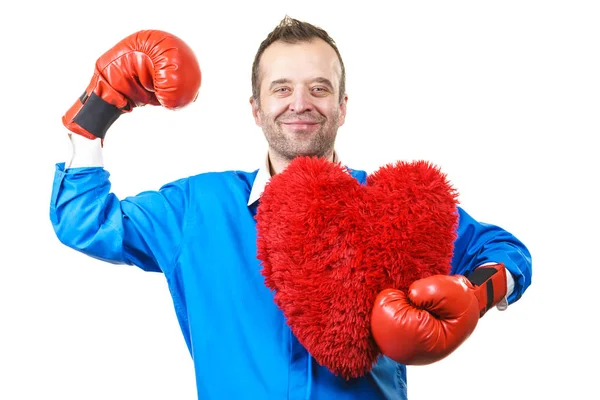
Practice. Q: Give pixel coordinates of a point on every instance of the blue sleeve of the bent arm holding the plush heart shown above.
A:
(479, 243)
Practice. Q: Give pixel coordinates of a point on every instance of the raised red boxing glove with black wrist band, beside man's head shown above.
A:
(146, 68)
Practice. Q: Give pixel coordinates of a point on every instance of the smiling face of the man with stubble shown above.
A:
(300, 109)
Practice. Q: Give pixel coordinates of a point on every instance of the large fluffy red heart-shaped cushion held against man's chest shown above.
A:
(328, 245)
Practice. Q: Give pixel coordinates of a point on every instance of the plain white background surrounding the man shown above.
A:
(503, 95)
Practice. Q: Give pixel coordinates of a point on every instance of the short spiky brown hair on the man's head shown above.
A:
(291, 30)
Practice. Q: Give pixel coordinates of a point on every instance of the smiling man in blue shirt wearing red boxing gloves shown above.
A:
(200, 232)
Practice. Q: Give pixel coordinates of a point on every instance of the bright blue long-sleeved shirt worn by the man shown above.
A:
(200, 232)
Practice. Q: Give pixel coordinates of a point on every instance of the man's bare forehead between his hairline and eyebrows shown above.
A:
(300, 62)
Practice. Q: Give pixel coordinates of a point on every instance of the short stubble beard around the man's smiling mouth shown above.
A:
(287, 146)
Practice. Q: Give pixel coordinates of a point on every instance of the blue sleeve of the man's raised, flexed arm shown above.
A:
(145, 230)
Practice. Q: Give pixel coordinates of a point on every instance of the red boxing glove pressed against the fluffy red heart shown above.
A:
(436, 315)
